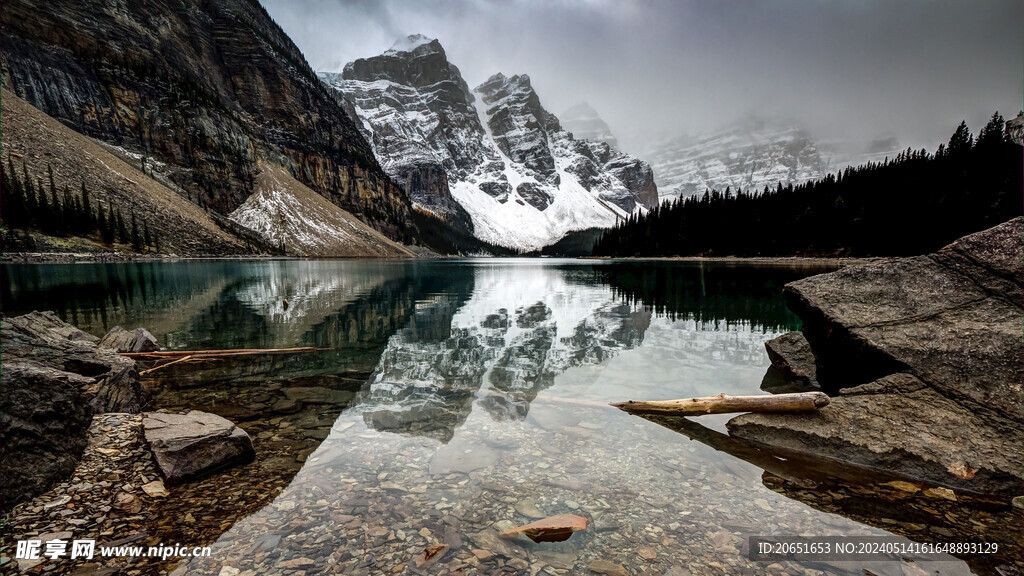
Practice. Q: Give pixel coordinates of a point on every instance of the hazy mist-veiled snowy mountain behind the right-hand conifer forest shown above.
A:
(750, 156)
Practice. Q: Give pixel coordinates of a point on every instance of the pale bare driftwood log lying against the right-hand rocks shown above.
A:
(722, 404)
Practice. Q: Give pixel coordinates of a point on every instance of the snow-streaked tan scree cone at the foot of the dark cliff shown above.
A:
(284, 213)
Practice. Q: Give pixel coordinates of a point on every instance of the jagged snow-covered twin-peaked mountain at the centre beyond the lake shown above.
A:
(492, 159)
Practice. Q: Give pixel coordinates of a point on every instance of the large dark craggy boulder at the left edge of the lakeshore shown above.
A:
(55, 379)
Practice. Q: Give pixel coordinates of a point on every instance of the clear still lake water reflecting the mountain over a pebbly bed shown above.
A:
(461, 394)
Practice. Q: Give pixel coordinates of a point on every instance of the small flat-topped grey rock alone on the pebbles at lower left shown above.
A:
(192, 445)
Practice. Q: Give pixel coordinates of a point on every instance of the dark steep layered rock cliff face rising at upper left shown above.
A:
(206, 88)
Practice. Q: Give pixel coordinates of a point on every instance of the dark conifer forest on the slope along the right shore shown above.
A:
(912, 204)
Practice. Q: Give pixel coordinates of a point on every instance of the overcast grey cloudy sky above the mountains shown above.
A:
(856, 70)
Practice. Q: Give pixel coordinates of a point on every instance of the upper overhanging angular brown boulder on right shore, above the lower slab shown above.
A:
(953, 319)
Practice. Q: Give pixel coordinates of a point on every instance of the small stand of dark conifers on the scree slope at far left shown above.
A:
(32, 203)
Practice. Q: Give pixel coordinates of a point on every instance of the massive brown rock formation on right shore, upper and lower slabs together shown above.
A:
(926, 356)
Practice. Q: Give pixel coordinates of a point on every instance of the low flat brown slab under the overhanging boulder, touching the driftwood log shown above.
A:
(900, 425)
